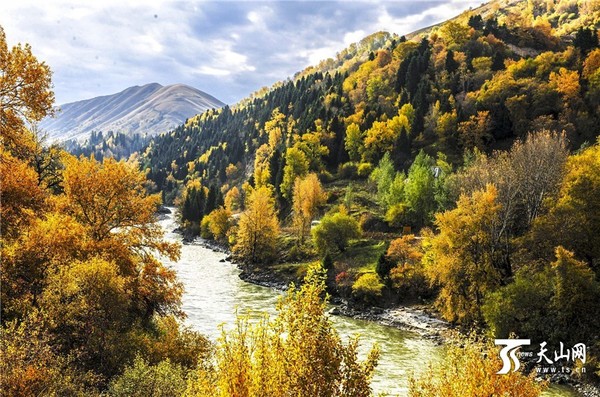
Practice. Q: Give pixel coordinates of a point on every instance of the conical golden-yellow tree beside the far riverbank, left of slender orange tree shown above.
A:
(258, 228)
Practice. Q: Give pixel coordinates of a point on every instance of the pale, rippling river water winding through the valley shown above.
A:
(214, 293)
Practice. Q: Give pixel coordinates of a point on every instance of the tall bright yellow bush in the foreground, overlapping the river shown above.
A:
(297, 354)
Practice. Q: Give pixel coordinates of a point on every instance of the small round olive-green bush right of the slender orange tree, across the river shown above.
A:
(334, 232)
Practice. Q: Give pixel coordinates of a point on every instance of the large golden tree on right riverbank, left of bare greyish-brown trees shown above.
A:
(463, 258)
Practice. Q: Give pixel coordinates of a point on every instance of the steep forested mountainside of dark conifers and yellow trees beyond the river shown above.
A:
(478, 81)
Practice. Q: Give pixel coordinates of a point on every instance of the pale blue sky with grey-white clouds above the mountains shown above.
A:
(226, 48)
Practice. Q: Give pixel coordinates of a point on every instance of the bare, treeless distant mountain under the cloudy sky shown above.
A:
(148, 110)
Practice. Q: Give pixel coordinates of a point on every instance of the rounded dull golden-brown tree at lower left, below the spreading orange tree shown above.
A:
(86, 302)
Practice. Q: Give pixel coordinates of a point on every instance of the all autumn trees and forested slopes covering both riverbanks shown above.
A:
(460, 167)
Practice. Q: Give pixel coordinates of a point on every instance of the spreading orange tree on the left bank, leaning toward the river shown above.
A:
(109, 199)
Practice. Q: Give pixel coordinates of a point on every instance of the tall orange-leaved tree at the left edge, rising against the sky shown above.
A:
(25, 98)
